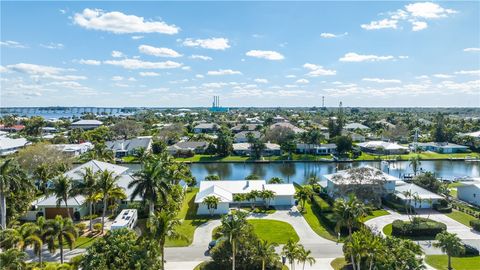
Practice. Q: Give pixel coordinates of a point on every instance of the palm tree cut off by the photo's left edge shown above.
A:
(11, 178)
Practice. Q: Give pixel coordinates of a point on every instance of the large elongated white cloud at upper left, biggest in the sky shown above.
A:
(120, 23)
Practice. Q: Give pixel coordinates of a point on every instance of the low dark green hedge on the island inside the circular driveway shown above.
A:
(418, 227)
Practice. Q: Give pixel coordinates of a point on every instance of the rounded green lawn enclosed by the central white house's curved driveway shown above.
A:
(273, 230)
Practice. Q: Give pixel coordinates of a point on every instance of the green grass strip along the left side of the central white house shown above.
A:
(190, 221)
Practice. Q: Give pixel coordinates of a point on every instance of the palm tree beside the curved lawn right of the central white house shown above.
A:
(349, 213)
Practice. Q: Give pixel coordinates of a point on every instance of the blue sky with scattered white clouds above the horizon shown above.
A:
(177, 54)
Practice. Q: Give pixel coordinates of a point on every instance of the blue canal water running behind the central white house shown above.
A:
(300, 171)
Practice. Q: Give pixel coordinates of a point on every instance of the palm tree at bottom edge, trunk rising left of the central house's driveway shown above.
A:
(160, 226)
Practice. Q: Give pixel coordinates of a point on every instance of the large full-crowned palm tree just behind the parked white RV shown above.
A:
(150, 185)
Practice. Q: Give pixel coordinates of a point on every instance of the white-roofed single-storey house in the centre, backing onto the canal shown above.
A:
(225, 191)
